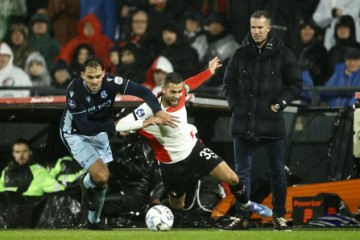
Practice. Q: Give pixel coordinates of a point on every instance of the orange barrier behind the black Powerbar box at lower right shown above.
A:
(348, 191)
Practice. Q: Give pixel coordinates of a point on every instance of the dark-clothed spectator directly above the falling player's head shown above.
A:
(181, 55)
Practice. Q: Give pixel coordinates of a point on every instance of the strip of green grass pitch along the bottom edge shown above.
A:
(181, 234)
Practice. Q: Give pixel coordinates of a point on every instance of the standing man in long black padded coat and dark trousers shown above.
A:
(261, 79)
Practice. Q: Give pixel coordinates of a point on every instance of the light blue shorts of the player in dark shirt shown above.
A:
(87, 149)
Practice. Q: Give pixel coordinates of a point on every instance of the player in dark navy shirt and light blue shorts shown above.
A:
(86, 120)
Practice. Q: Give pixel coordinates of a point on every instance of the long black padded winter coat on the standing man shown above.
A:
(256, 78)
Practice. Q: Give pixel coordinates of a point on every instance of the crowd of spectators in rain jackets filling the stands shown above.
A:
(43, 43)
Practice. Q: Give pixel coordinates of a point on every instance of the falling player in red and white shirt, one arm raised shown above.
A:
(180, 153)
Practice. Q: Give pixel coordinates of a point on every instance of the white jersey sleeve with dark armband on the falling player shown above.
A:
(134, 120)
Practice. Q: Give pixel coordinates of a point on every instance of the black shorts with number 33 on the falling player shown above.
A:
(181, 176)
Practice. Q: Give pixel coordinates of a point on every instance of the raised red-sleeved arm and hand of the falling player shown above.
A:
(195, 81)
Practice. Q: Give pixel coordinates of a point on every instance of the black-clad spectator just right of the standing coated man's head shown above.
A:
(312, 55)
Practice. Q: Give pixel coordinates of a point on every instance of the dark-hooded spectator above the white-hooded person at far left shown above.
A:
(19, 43)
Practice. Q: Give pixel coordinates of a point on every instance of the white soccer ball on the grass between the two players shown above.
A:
(159, 218)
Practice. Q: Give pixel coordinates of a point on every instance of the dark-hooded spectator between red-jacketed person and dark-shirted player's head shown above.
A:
(82, 51)
